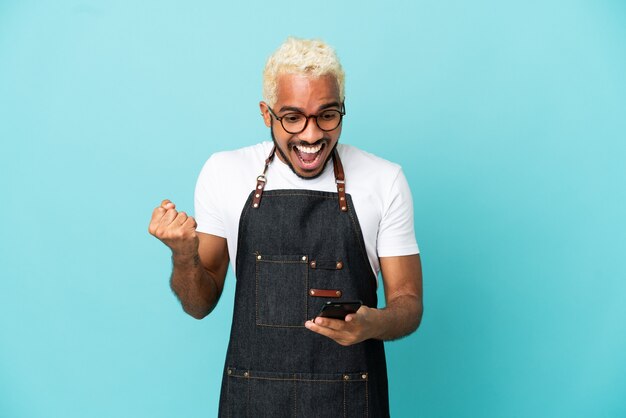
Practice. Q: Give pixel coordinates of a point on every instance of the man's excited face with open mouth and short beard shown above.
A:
(307, 152)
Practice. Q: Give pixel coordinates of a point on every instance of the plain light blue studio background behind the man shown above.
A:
(509, 119)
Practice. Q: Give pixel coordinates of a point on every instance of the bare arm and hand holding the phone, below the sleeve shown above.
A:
(402, 278)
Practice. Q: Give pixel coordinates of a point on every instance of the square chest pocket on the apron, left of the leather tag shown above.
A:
(281, 290)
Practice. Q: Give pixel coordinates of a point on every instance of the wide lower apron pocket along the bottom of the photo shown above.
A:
(270, 394)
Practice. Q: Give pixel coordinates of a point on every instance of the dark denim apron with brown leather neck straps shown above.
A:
(298, 249)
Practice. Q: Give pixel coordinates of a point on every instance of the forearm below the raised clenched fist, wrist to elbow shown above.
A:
(193, 285)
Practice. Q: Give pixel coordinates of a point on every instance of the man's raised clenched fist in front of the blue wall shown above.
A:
(175, 229)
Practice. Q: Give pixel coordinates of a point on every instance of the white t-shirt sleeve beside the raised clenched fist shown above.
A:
(207, 213)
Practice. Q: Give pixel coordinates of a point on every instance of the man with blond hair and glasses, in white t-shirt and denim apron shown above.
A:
(315, 224)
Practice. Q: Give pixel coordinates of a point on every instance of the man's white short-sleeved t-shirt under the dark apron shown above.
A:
(380, 194)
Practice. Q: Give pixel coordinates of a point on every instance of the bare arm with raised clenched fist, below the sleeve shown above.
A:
(200, 261)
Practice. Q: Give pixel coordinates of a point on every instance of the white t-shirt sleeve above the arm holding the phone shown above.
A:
(396, 232)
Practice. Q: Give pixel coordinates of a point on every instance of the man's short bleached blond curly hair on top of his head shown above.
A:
(304, 57)
